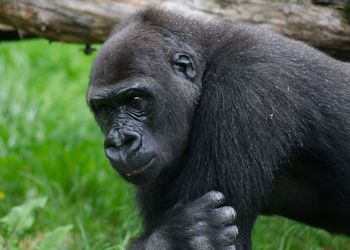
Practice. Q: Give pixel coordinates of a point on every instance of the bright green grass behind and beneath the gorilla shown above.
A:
(50, 146)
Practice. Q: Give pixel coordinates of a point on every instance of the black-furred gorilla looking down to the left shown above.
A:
(204, 116)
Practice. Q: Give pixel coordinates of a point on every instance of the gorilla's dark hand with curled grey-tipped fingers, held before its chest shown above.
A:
(202, 224)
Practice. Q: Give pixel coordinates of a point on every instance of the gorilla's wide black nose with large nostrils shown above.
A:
(119, 144)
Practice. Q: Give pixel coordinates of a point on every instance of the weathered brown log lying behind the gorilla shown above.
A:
(90, 21)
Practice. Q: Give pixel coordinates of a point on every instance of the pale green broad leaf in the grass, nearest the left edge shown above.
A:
(21, 217)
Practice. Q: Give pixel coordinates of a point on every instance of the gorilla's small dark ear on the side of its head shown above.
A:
(183, 64)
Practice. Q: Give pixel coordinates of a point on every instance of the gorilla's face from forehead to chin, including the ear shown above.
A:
(143, 95)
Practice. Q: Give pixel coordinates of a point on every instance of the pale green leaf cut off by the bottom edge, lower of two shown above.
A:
(56, 239)
